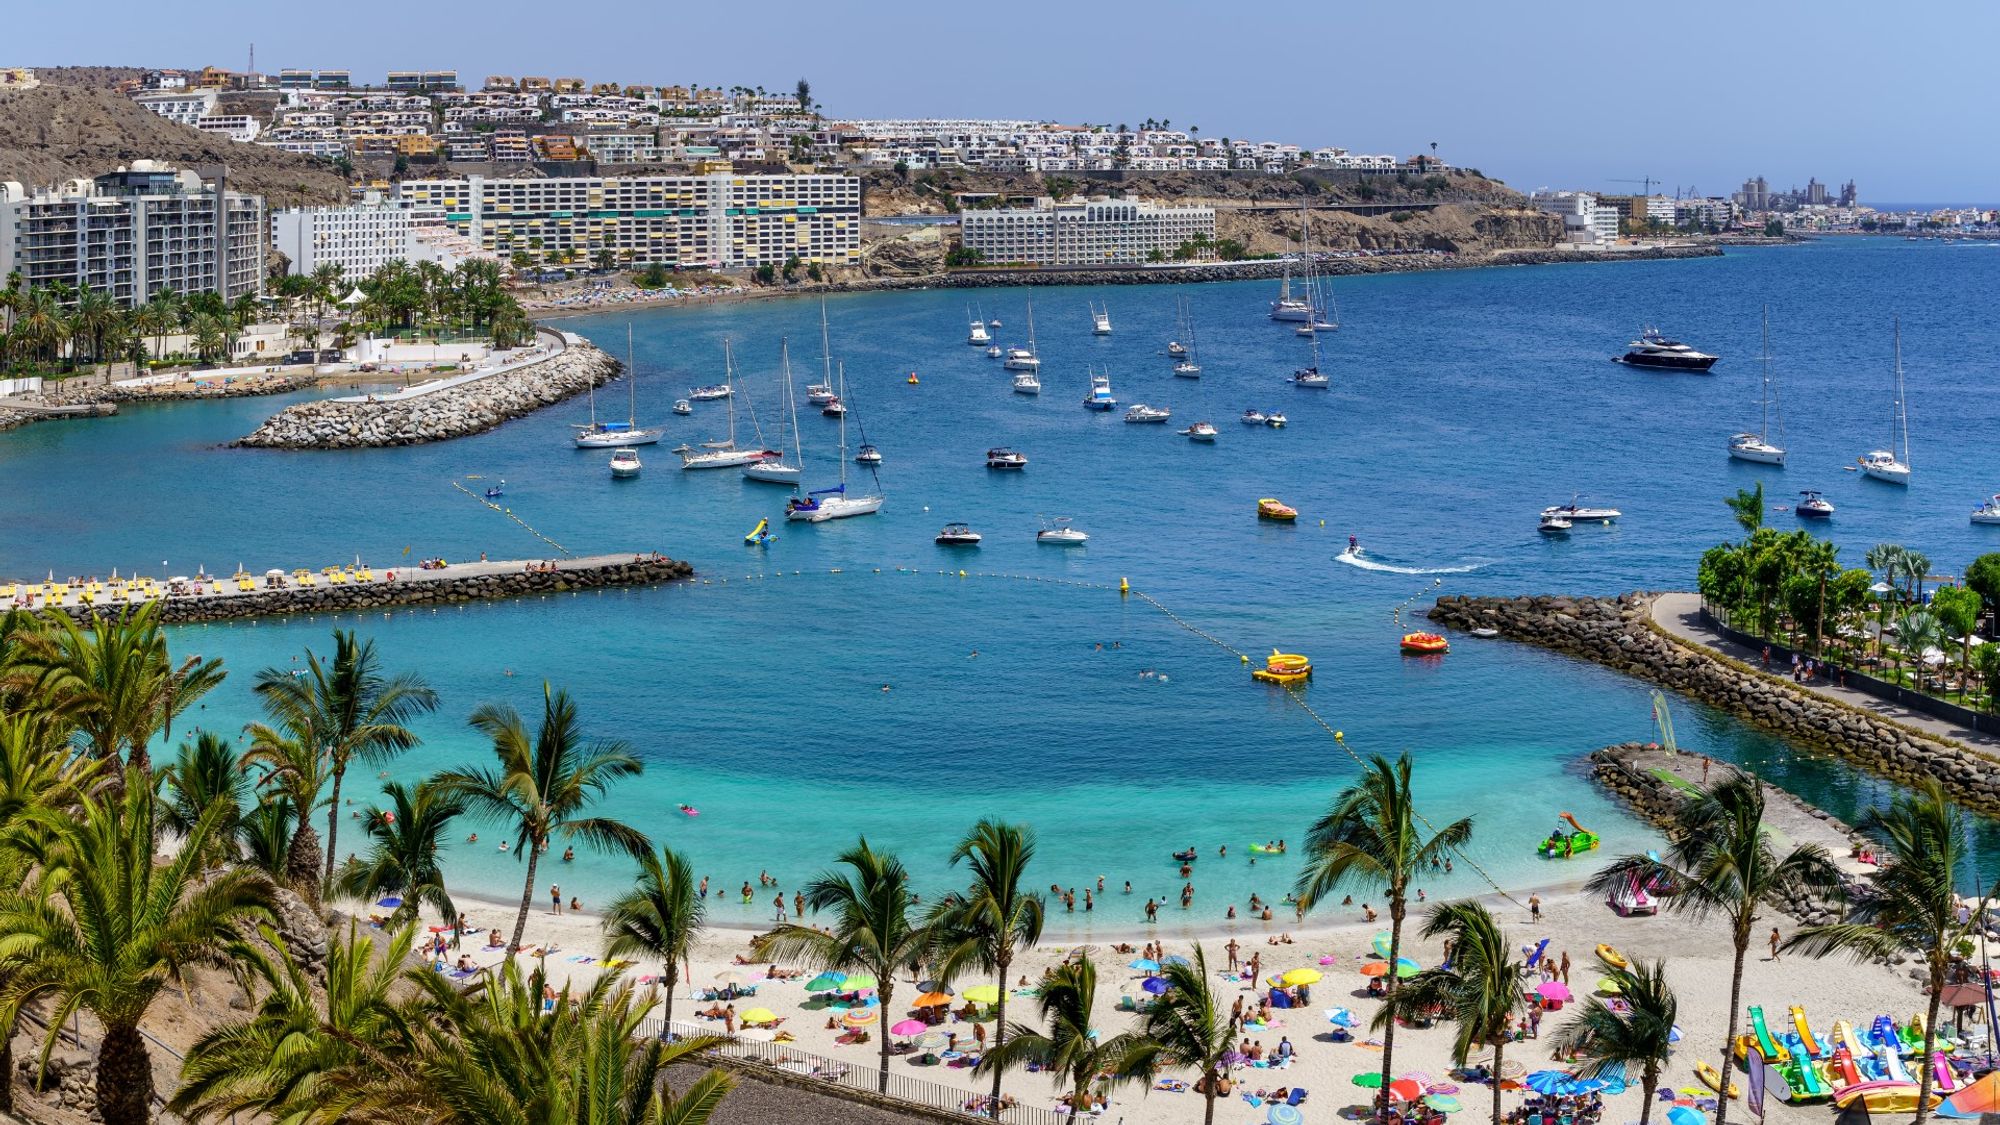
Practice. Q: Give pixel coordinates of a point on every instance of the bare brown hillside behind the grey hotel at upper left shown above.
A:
(63, 133)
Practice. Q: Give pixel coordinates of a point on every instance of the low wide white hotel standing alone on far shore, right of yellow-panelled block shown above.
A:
(1085, 233)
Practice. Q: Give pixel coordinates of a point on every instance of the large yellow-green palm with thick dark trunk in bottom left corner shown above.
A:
(125, 928)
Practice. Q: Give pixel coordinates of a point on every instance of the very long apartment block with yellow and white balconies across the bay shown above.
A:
(717, 221)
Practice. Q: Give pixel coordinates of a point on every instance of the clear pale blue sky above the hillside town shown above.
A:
(1695, 93)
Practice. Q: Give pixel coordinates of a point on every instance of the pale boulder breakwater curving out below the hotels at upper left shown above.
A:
(449, 413)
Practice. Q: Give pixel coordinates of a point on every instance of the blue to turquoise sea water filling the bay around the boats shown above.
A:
(827, 686)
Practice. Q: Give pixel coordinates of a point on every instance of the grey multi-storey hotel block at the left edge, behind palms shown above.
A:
(133, 233)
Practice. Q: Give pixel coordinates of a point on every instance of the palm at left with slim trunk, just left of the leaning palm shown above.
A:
(353, 708)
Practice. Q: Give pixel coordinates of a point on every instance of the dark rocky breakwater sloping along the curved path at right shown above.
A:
(1621, 636)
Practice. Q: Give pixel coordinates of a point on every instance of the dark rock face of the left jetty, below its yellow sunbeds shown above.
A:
(419, 590)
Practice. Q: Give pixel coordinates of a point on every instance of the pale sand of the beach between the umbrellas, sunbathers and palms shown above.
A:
(1337, 946)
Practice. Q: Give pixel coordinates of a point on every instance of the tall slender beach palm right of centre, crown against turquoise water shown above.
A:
(1373, 838)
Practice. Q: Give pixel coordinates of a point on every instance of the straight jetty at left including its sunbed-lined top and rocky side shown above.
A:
(403, 588)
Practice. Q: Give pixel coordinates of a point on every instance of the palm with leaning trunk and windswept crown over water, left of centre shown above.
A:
(543, 786)
